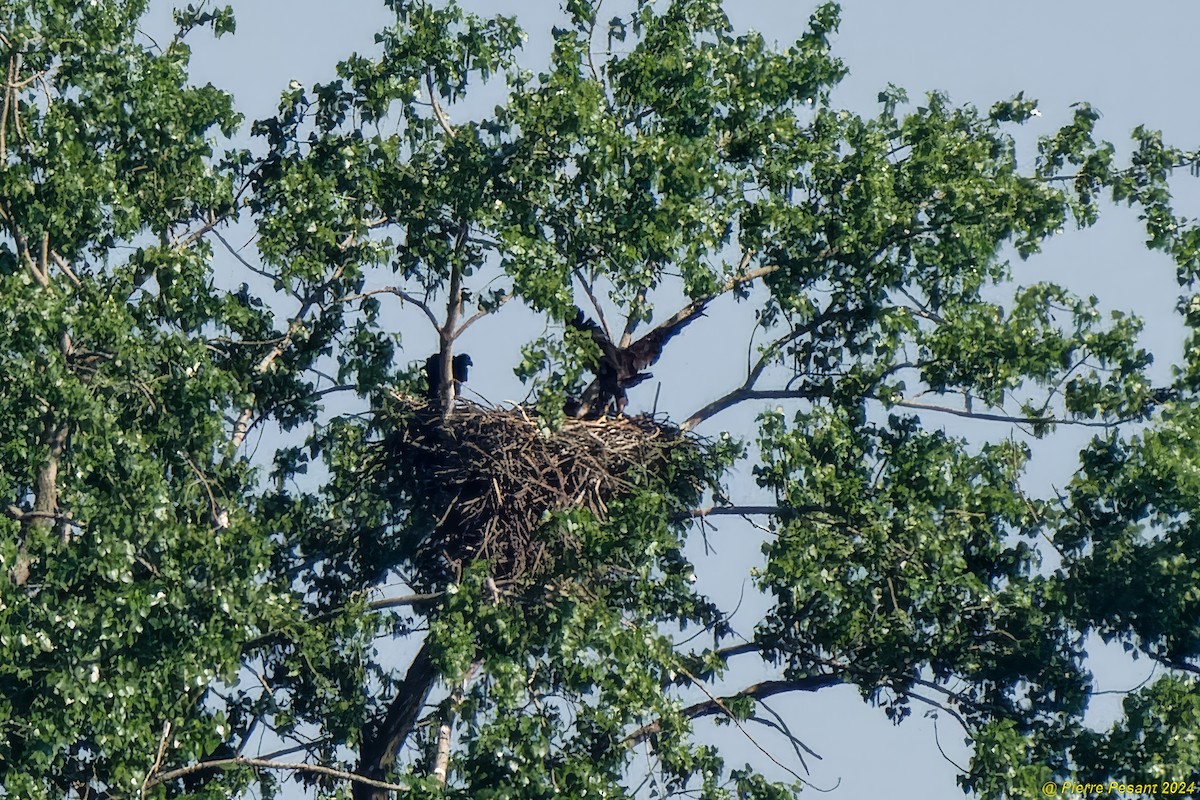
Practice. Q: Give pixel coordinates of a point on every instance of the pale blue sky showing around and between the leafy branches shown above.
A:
(1135, 62)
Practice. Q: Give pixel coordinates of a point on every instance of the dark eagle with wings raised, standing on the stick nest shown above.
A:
(622, 368)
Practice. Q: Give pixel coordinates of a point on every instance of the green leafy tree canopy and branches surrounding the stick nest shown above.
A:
(184, 616)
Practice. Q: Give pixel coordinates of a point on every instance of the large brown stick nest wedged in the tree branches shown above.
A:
(489, 479)
